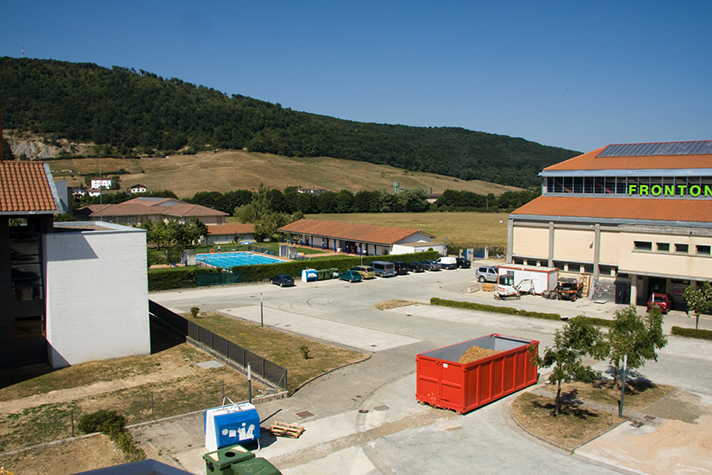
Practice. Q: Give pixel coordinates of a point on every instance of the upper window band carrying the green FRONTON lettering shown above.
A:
(696, 187)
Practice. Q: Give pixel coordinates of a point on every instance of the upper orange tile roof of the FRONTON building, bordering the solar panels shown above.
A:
(590, 161)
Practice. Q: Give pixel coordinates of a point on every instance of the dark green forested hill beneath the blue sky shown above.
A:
(132, 113)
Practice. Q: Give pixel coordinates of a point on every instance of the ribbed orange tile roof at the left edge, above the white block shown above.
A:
(26, 187)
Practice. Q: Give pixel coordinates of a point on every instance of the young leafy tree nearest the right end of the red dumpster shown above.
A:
(577, 339)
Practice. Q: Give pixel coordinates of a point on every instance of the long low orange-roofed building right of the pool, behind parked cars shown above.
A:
(360, 238)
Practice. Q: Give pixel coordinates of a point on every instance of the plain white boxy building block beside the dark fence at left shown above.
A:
(97, 294)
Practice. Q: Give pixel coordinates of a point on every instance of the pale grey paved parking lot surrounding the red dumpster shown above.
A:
(364, 418)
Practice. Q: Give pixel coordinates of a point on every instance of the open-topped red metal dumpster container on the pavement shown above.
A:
(444, 383)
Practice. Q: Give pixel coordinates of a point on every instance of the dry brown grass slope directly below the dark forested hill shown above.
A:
(236, 169)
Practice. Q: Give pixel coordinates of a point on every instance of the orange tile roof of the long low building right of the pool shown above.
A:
(350, 231)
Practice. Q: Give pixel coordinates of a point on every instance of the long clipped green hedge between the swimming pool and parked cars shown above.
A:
(184, 277)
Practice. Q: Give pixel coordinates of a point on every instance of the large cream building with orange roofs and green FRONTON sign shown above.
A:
(637, 217)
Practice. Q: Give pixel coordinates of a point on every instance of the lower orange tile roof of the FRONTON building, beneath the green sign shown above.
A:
(675, 210)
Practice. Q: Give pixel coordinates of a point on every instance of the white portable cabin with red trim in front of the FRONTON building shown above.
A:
(516, 279)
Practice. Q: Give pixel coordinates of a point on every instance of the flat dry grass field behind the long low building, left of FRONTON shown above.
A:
(466, 229)
